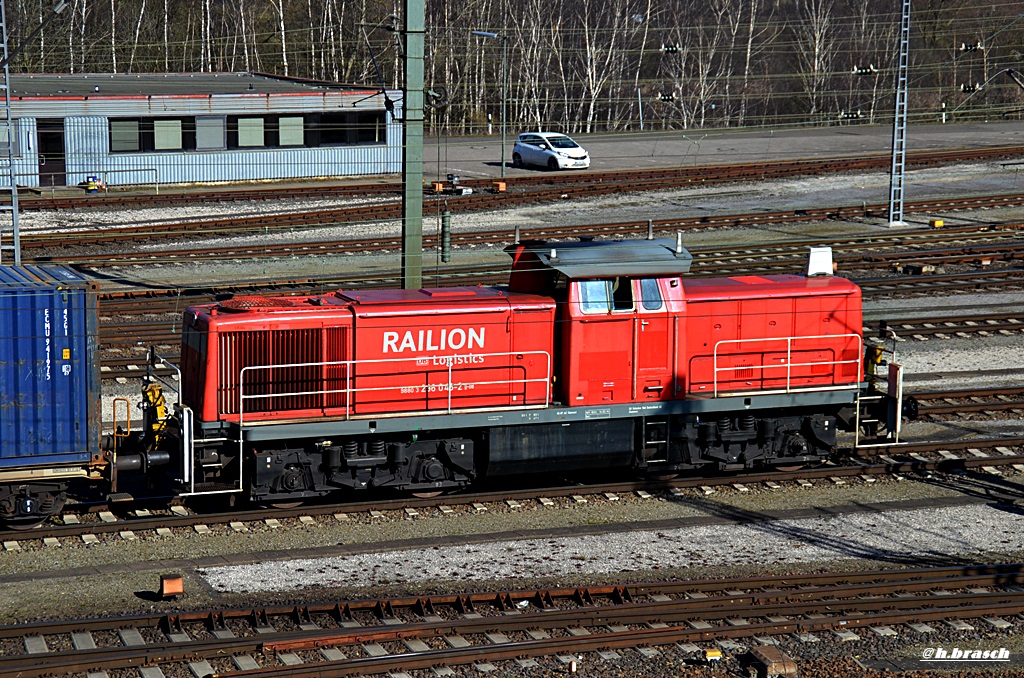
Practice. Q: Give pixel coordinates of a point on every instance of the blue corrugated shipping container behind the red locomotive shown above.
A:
(50, 371)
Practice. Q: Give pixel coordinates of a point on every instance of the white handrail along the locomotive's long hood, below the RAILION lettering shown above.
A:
(451, 362)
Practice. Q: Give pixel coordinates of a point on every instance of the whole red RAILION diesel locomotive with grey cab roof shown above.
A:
(598, 356)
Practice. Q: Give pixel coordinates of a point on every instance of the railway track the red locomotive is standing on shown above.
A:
(984, 456)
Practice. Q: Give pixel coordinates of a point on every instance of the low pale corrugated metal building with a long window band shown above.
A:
(187, 129)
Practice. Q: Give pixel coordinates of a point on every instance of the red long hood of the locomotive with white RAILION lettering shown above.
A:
(372, 353)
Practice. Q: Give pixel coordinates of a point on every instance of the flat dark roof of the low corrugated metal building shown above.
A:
(86, 86)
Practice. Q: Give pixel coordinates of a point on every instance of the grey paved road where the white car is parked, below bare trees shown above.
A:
(481, 157)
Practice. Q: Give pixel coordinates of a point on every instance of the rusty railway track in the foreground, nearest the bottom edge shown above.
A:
(525, 627)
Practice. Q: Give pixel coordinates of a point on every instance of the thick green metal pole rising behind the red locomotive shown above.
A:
(412, 159)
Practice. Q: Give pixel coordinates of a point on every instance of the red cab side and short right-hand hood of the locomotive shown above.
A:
(668, 338)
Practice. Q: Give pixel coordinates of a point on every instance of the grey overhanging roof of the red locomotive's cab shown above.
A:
(612, 259)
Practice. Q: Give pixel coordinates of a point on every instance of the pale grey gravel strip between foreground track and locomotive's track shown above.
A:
(936, 536)
